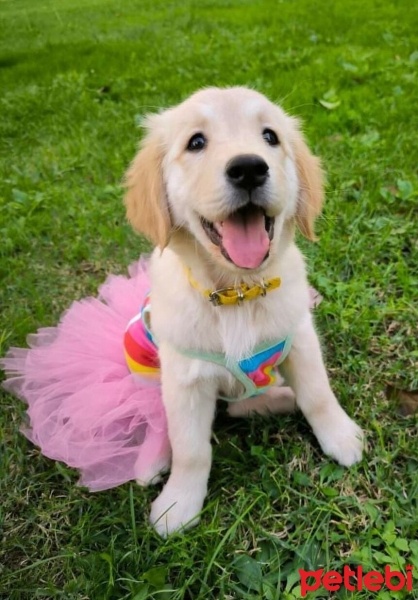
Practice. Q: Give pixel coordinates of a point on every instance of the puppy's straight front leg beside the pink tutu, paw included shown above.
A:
(190, 409)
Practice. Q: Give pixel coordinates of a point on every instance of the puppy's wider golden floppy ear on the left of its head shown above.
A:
(145, 199)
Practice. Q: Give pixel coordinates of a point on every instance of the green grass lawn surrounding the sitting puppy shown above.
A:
(75, 78)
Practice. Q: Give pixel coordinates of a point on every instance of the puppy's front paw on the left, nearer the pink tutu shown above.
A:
(176, 510)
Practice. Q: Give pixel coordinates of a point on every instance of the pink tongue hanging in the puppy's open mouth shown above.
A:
(245, 238)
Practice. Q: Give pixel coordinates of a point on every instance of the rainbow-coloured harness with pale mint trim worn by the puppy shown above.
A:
(256, 372)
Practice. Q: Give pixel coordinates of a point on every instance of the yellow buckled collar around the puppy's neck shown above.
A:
(237, 294)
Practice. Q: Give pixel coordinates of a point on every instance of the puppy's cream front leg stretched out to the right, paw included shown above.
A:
(304, 370)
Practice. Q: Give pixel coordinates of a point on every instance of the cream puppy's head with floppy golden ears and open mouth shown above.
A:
(231, 169)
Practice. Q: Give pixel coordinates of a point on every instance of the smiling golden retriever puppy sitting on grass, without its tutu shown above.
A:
(219, 184)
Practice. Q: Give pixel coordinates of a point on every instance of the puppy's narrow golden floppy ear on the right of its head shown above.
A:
(311, 190)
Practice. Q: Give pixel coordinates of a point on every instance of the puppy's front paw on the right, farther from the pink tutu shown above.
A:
(340, 438)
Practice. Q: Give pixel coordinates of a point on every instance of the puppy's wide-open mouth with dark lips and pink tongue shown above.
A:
(244, 236)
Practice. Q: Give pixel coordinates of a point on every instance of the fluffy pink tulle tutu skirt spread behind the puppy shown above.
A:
(85, 408)
